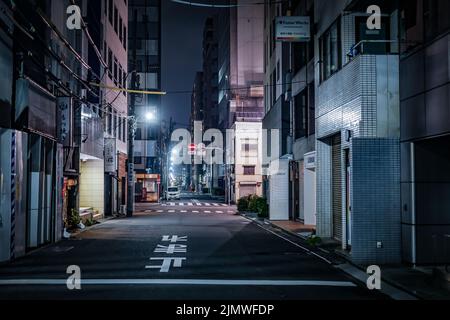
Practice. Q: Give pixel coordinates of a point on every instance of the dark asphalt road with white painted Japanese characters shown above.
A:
(180, 250)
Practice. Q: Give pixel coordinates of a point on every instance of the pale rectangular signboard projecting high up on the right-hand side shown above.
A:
(292, 29)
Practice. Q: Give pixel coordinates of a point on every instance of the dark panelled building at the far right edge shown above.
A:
(425, 129)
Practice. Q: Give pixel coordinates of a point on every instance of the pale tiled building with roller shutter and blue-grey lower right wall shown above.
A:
(358, 131)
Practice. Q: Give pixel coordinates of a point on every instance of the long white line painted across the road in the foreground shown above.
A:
(198, 282)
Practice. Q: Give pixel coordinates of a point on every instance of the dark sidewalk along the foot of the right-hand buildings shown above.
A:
(420, 283)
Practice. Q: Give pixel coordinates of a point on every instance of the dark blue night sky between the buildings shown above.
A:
(182, 33)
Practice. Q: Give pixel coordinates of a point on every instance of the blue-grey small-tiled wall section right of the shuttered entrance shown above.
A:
(376, 236)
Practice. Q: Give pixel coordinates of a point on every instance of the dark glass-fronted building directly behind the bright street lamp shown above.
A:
(145, 58)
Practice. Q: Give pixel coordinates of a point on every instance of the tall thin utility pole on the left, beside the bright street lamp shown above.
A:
(132, 128)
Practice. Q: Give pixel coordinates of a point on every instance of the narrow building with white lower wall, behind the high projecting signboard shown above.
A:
(290, 109)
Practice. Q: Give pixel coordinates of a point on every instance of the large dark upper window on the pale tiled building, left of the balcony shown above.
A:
(330, 51)
